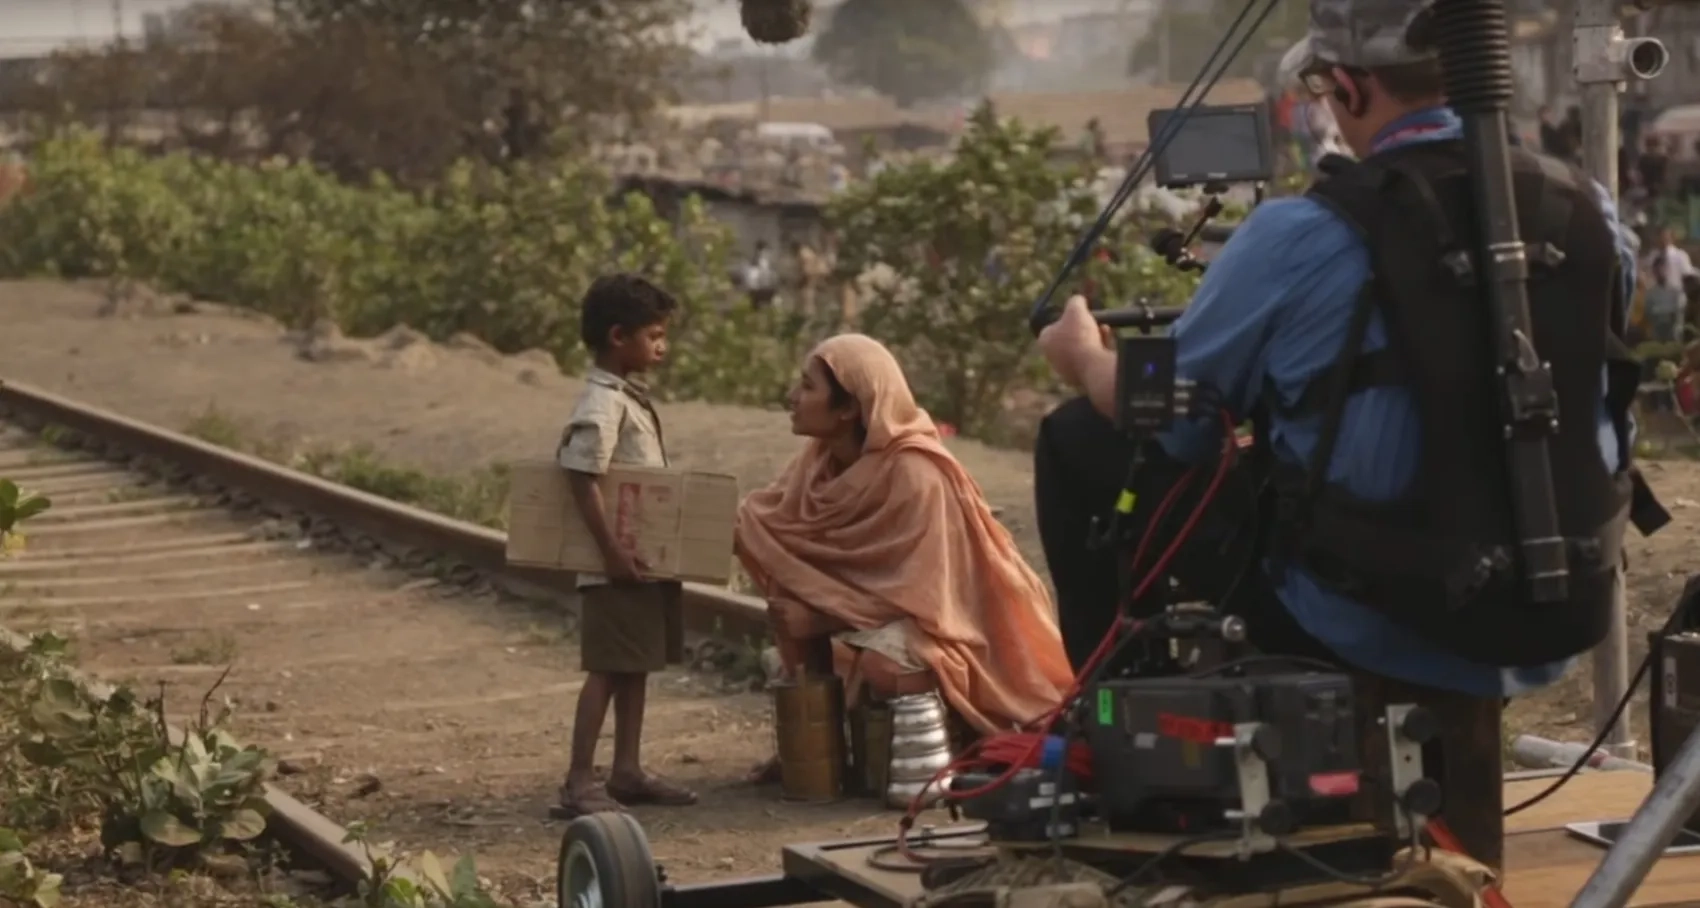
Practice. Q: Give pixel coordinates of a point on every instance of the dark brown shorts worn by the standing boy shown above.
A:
(632, 628)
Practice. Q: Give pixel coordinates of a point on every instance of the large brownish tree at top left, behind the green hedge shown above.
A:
(402, 88)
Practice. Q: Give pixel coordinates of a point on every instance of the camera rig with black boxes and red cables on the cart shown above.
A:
(1259, 768)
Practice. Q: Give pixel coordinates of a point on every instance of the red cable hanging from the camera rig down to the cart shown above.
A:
(1023, 751)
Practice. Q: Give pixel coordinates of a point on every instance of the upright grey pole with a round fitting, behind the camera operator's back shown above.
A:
(1606, 62)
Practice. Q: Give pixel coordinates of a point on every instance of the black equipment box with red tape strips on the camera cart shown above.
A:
(1162, 764)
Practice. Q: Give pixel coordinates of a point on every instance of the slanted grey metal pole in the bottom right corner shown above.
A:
(1648, 834)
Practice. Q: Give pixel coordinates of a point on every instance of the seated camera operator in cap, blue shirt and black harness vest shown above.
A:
(1272, 317)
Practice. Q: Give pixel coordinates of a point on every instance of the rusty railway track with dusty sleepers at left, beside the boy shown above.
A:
(402, 672)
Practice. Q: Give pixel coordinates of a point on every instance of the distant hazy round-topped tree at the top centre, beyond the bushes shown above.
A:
(909, 50)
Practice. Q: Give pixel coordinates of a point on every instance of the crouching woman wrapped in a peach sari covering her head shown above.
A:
(881, 560)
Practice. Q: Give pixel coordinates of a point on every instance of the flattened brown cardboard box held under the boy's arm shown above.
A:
(677, 521)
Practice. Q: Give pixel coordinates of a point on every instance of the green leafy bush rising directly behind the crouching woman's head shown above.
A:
(970, 246)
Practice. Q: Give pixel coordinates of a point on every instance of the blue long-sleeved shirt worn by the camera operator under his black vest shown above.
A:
(1276, 304)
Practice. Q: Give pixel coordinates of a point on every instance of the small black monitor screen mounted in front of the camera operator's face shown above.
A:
(1213, 145)
